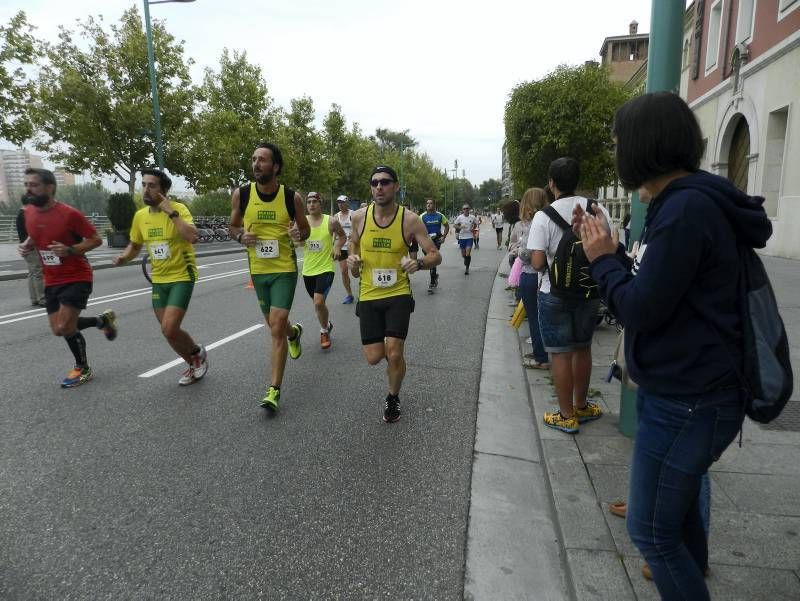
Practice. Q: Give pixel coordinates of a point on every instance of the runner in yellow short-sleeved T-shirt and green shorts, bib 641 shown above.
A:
(169, 232)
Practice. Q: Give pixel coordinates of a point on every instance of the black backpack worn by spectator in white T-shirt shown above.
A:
(569, 271)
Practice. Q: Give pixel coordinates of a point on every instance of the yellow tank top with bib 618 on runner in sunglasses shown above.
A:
(381, 250)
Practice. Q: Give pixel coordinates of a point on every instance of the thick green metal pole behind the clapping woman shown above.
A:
(663, 74)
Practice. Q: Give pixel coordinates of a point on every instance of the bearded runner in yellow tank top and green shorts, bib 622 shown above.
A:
(268, 219)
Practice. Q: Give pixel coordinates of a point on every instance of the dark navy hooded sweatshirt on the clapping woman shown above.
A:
(680, 309)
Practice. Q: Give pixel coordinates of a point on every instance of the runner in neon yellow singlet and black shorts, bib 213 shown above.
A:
(320, 253)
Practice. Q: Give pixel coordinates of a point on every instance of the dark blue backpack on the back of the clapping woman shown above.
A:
(766, 375)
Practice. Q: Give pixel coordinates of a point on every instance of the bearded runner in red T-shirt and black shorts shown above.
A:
(62, 236)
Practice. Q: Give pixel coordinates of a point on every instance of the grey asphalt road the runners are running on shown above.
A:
(131, 487)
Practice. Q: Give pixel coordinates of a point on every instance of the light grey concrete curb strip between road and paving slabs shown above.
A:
(514, 542)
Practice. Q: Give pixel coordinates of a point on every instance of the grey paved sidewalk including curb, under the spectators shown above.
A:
(568, 481)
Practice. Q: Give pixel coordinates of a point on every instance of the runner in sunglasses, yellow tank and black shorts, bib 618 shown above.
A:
(381, 235)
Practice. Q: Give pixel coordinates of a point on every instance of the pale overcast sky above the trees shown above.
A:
(442, 69)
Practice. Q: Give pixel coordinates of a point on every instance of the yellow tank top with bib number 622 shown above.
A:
(269, 220)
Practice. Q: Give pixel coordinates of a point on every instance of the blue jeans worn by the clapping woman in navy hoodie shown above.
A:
(677, 441)
